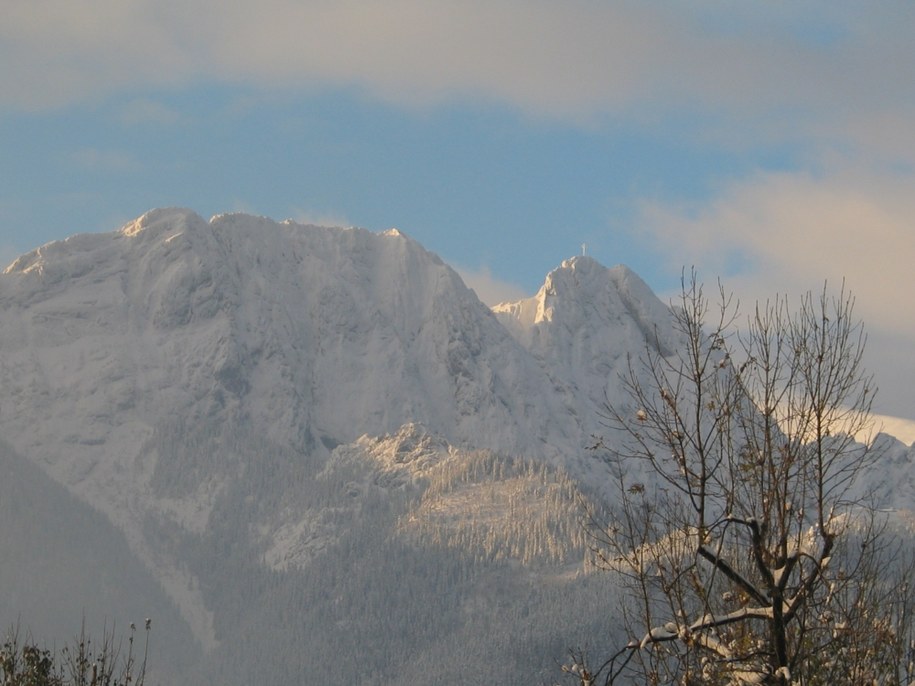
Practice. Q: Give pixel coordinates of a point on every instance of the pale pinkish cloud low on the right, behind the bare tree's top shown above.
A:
(789, 232)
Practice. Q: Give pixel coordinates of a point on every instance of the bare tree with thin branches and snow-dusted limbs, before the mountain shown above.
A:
(750, 555)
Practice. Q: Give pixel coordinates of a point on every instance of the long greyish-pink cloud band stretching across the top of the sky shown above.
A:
(815, 64)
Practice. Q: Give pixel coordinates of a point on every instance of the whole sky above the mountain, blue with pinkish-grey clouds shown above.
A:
(771, 144)
